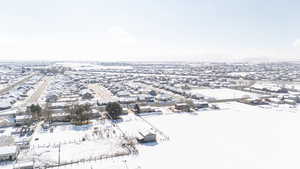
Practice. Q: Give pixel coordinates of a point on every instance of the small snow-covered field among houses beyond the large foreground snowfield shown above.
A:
(223, 93)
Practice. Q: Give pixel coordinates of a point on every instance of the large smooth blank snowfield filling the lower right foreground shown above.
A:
(237, 136)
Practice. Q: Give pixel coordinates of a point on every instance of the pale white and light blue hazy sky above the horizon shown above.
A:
(217, 30)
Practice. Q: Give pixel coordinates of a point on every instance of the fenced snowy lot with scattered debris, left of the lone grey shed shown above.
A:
(75, 143)
